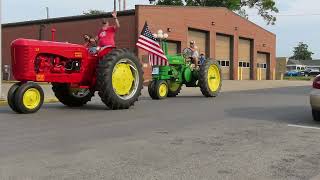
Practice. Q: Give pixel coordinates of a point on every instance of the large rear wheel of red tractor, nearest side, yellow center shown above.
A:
(119, 79)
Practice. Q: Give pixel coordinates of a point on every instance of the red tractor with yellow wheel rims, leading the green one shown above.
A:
(75, 73)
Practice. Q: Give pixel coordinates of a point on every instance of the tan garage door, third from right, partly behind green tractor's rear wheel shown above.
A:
(223, 49)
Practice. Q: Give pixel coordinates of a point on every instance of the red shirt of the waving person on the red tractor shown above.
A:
(106, 37)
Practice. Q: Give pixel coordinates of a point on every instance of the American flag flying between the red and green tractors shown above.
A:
(149, 43)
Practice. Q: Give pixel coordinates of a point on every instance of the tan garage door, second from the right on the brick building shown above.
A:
(244, 54)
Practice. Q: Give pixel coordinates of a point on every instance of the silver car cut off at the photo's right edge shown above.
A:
(315, 99)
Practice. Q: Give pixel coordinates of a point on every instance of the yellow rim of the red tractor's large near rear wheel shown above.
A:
(122, 79)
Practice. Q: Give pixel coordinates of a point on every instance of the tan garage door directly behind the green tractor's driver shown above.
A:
(200, 38)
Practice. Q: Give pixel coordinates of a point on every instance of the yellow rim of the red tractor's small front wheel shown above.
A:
(31, 98)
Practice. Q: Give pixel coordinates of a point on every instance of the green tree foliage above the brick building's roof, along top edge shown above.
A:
(265, 8)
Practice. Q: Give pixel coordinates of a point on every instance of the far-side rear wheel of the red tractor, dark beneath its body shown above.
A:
(71, 97)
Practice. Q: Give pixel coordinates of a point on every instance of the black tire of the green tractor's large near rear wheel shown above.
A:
(203, 79)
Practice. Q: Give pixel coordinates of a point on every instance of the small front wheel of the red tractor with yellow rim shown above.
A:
(28, 98)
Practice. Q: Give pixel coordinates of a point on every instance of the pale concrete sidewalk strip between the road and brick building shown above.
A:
(227, 86)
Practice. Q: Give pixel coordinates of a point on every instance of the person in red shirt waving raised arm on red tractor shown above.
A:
(106, 35)
